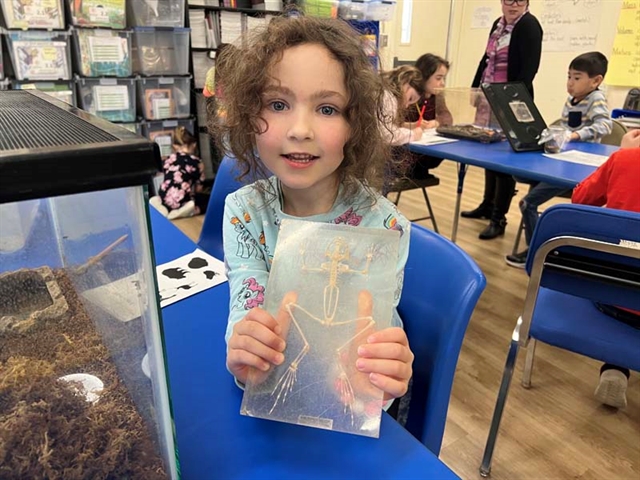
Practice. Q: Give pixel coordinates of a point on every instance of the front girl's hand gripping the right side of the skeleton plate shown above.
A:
(387, 358)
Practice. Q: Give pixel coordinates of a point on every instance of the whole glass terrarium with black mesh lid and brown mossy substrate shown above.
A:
(83, 381)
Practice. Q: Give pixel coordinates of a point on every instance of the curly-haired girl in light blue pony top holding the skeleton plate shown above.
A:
(304, 103)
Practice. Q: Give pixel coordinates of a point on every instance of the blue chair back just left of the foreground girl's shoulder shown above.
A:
(225, 183)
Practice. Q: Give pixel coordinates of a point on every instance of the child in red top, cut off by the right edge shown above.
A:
(615, 185)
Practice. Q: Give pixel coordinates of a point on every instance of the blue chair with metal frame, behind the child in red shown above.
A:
(578, 255)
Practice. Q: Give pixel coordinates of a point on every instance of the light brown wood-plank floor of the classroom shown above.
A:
(556, 429)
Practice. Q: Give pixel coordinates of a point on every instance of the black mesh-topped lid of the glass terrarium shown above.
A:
(50, 148)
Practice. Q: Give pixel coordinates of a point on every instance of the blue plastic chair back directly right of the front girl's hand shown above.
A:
(442, 285)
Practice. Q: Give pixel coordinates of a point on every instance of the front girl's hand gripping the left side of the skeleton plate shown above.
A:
(257, 343)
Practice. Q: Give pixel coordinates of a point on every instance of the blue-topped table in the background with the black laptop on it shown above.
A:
(501, 158)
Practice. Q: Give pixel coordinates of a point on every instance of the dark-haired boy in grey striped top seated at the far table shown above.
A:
(586, 115)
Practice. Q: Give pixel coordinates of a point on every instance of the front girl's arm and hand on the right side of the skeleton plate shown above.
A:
(386, 355)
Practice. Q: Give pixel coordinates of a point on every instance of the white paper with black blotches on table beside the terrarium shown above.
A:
(188, 275)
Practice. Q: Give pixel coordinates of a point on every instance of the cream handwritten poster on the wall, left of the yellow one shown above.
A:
(570, 25)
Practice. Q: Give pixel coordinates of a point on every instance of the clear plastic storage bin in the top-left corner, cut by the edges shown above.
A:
(33, 13)
